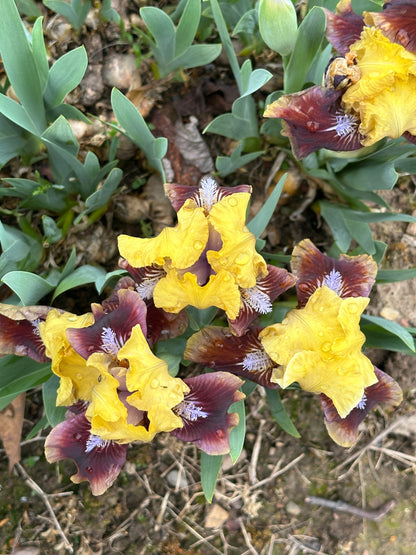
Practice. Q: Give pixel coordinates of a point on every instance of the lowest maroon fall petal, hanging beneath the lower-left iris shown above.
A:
(99, 462)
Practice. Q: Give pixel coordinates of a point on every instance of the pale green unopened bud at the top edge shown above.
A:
(278, 25)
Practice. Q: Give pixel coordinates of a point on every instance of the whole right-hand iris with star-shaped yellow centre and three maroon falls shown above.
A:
(318, 345)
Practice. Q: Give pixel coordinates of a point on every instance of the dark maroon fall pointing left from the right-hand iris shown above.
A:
(243, 355)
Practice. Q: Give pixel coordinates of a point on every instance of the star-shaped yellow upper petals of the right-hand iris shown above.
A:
(319, 346)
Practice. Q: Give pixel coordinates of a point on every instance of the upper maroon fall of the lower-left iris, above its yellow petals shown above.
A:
(110, 330)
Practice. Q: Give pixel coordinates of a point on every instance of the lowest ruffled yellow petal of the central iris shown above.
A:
(174, 292)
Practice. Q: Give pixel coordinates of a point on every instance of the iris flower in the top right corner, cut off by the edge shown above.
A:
(368, 93)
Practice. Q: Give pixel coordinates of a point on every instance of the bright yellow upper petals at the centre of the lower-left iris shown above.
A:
(120, 420)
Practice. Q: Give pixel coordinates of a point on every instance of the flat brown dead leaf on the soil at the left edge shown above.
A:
(11, 424)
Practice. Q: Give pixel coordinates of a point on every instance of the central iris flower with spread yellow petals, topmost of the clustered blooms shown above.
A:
(208, 259)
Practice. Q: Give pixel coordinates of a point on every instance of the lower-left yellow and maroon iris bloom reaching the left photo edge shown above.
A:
(116, 390)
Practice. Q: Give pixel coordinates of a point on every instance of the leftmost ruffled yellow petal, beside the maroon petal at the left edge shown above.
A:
(76, 379)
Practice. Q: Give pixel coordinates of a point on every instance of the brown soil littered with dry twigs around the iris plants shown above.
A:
(260, 506)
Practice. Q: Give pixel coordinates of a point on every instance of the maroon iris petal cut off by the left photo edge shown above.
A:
(19, 331)
